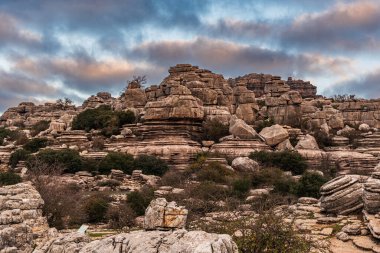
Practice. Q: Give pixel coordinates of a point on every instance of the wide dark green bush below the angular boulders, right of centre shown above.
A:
(285, 160)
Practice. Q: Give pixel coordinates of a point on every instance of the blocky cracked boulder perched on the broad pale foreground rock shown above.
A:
(161, 214)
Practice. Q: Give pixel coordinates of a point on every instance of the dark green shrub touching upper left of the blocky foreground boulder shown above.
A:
(140, 200)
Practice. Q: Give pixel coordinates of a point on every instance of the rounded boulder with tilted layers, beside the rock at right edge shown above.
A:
(342, 195)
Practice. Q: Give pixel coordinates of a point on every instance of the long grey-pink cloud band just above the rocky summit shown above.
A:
(236, 59)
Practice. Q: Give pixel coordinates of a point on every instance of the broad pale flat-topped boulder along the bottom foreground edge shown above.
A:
(145, 242)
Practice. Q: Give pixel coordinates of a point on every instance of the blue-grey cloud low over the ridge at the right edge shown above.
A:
(365, 86)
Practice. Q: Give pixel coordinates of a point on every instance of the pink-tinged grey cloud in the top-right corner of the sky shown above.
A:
(344, 27)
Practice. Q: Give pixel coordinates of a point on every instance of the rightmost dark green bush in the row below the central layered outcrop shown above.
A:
(151, 165)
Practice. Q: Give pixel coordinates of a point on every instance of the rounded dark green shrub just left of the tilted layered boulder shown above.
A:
(309, 185)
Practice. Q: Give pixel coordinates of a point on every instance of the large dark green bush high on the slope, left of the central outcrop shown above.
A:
(102, 118)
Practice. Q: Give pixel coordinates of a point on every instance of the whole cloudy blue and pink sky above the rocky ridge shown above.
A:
(52, 49)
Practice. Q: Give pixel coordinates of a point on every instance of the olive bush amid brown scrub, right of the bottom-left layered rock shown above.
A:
(96, 208)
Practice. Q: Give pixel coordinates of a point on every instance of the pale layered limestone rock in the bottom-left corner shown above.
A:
(21, 222)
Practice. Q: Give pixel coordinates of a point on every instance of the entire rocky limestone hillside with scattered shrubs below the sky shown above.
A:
(231, 151)
